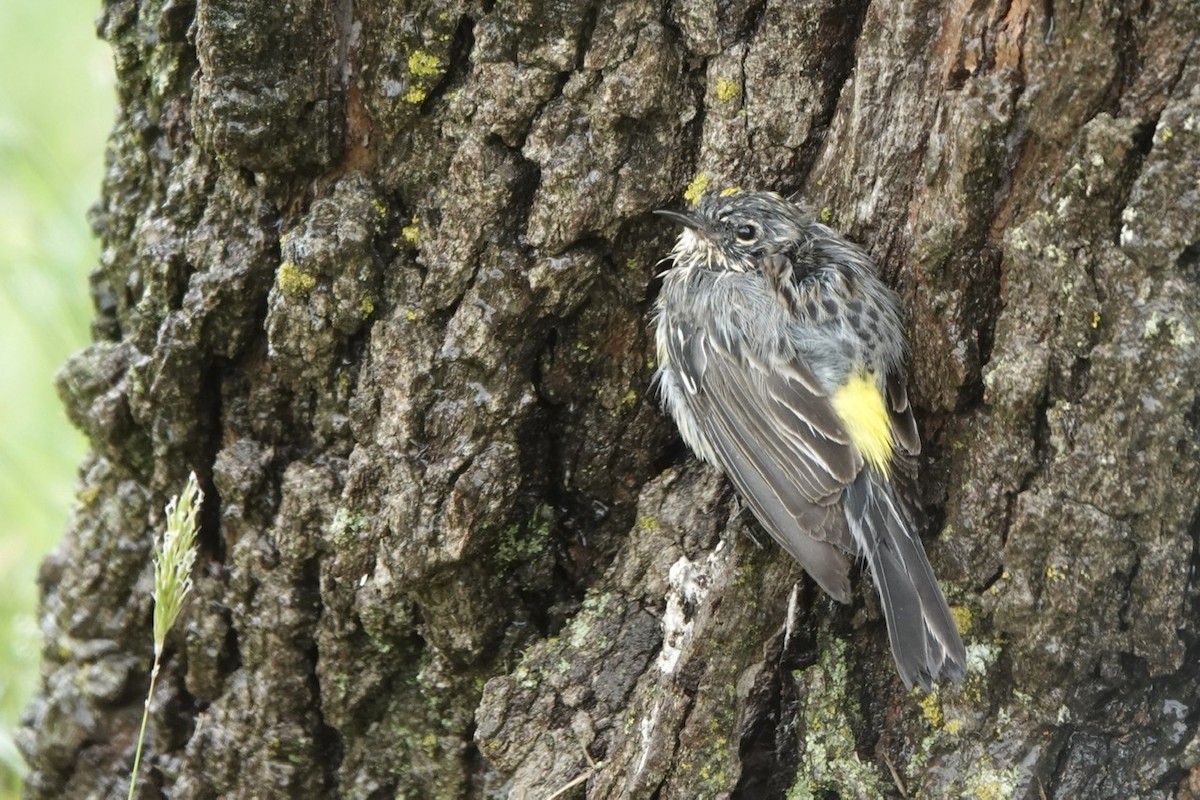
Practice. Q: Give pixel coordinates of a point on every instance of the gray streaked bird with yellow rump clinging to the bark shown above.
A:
(781, 358)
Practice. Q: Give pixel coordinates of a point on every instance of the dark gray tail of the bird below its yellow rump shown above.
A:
(925, 639)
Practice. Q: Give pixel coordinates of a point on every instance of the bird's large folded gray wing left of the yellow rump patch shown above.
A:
(779, 441)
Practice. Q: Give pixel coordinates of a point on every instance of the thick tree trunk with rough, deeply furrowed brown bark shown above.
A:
(381, 276)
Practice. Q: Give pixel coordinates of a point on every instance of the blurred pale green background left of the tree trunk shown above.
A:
(57, 106)
